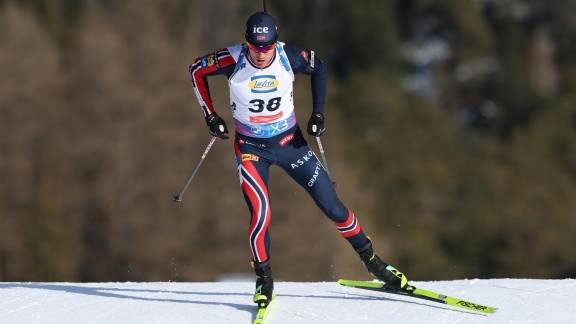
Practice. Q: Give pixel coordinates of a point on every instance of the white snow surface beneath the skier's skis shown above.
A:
(518, 300)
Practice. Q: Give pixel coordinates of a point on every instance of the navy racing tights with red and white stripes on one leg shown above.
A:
(290, 151)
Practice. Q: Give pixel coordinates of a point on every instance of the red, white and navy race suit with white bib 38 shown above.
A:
(267, 133)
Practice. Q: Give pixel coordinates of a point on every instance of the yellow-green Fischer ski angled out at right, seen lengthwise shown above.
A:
(419, 293)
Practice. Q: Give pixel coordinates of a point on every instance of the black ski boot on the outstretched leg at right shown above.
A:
(393, 278)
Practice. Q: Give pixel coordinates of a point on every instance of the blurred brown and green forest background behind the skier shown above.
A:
(451, 131)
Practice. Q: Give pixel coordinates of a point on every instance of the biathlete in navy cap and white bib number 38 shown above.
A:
(260, 75)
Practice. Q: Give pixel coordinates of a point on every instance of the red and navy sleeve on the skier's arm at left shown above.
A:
(220, 62)
